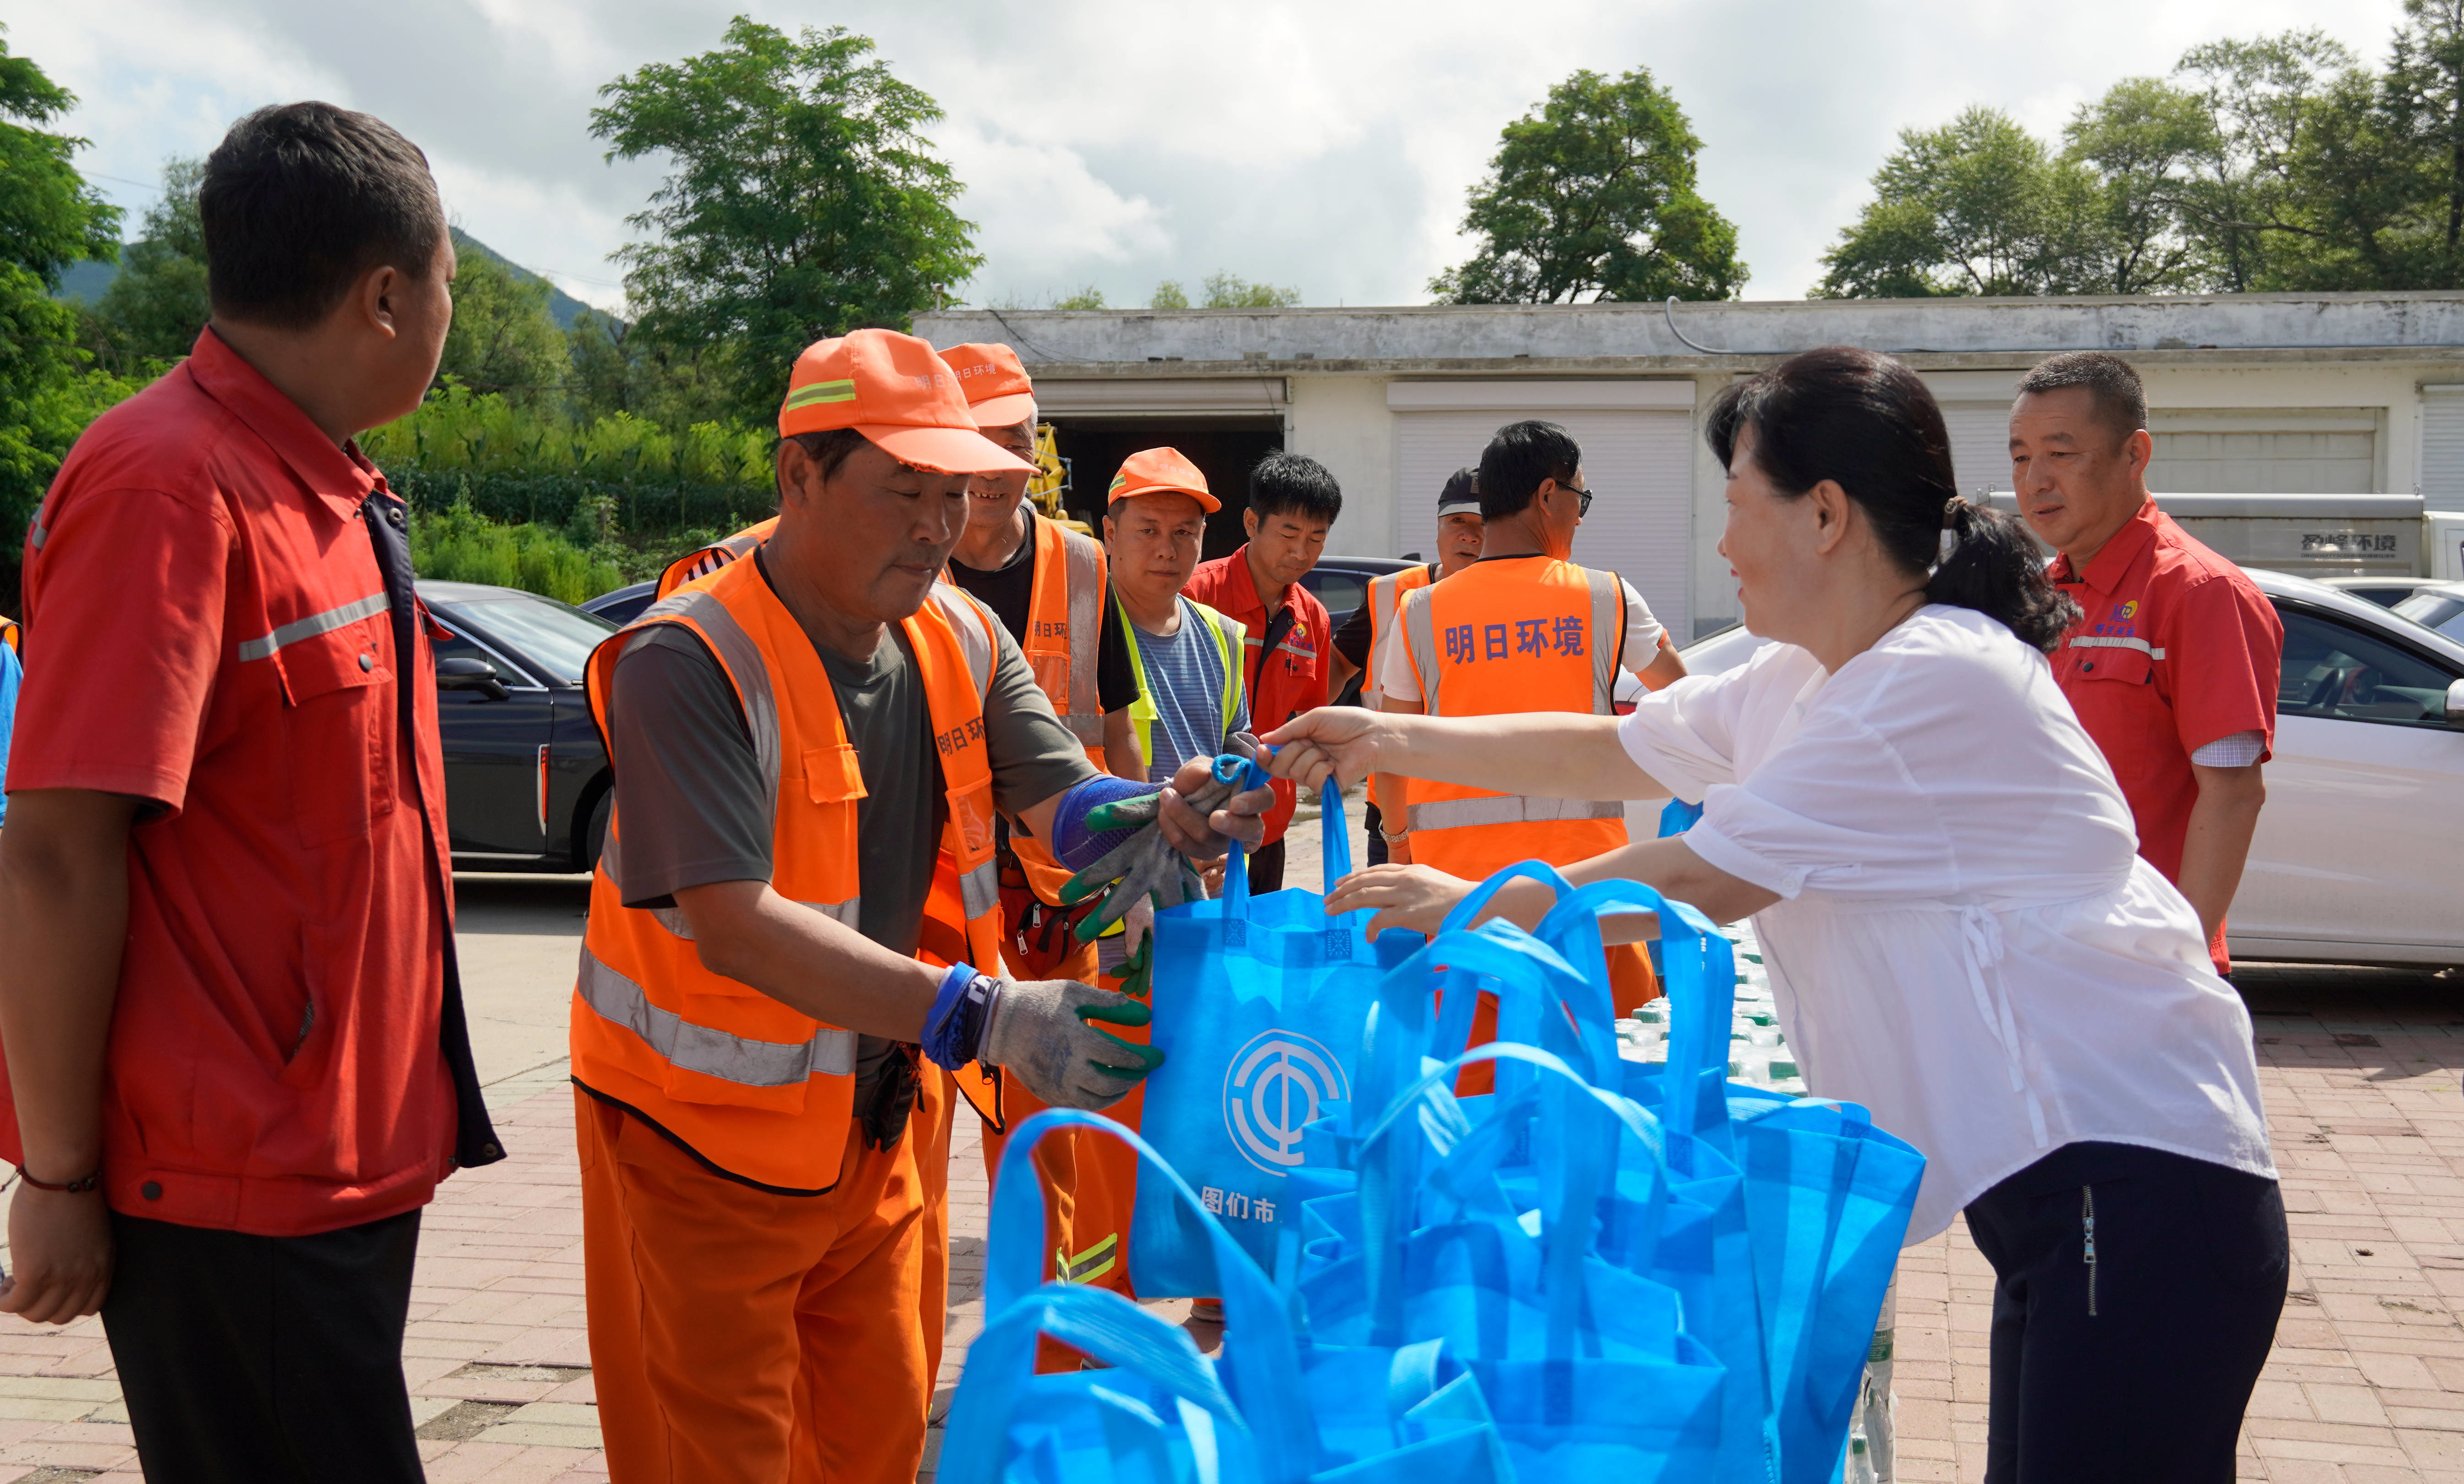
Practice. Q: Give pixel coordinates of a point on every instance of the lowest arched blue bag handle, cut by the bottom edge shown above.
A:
(1112, 1330)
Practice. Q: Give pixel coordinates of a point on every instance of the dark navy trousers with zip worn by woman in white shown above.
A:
(2133, 1362)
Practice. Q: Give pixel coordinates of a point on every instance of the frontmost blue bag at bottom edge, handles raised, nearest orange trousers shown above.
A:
(1275, 1409)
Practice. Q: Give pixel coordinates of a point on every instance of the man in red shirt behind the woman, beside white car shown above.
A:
(2177, 654)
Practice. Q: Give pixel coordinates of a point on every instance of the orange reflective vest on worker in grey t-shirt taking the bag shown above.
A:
(753, 1086)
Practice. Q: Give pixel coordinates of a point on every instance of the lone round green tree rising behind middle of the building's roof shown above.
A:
(1593, 196)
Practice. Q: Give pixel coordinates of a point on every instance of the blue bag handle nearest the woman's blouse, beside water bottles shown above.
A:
(1701, 987)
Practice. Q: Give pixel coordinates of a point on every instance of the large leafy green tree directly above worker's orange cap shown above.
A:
(802, 201)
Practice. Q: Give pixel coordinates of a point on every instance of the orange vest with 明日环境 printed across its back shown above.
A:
(1514, 637)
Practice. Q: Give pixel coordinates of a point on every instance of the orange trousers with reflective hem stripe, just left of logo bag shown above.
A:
(1090, 1182)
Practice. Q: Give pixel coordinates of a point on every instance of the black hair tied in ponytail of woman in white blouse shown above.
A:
(1866, 420)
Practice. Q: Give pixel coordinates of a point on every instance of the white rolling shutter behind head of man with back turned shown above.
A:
(1637, 462)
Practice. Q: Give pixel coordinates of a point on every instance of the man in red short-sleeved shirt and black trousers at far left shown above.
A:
(235, 1039)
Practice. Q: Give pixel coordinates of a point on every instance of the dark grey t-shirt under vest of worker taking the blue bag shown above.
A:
(691, 797)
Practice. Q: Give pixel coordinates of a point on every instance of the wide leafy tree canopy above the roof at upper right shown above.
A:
(2273, 164)
